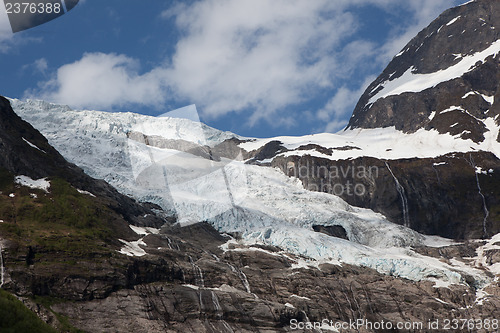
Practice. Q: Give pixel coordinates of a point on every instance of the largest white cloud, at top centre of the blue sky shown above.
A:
(256, 54)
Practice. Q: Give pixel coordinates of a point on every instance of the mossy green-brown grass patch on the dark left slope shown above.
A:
(62, 220)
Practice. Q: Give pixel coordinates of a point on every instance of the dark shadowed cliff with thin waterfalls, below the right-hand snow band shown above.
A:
(442, 193)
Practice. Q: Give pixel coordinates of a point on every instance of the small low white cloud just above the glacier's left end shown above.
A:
(104, 81)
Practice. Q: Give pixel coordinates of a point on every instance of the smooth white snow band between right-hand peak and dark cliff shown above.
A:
(383, 143)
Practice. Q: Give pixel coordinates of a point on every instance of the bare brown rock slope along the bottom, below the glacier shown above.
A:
(187, 283)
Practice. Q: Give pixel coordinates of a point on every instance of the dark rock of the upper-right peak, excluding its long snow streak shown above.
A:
(459, 32)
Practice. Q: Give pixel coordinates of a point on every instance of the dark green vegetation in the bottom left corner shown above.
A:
(17, 318)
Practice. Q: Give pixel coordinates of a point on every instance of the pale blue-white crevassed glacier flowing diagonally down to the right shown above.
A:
(261, 203)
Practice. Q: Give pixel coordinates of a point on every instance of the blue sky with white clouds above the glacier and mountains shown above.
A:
(258, 68)
